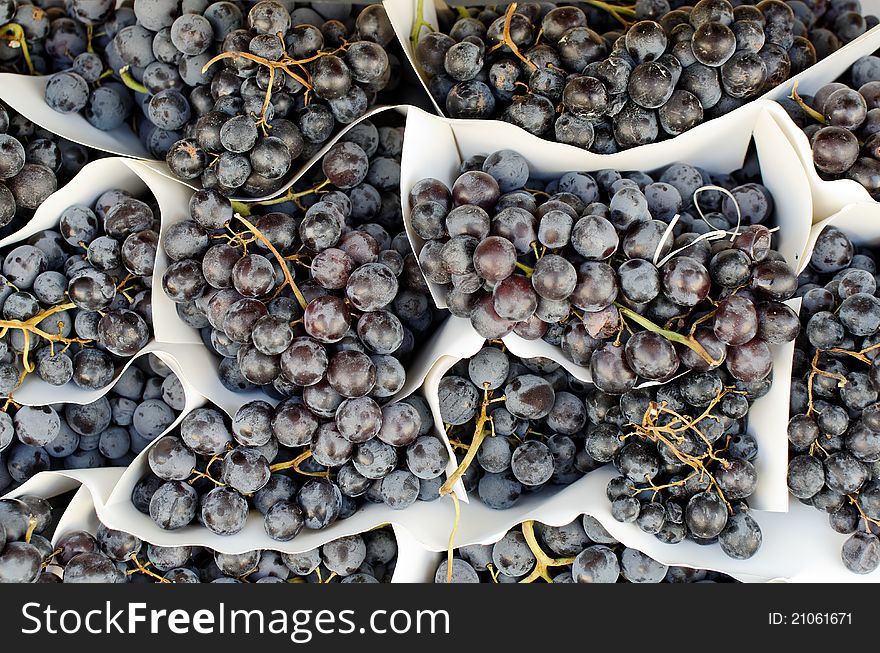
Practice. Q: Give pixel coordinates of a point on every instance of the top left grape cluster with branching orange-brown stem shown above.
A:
(233, 95)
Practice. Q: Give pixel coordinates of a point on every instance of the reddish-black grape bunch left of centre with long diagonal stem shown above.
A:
(361, 308)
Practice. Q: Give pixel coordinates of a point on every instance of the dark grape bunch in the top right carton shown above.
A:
(622, 76)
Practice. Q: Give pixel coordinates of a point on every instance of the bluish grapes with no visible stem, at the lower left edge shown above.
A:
(108, 432)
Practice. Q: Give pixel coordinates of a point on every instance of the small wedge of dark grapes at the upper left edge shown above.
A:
(34, 162)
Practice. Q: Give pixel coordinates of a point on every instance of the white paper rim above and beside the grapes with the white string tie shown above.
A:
(719, 146)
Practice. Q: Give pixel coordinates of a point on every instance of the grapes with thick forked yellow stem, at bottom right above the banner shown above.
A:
(586, 552)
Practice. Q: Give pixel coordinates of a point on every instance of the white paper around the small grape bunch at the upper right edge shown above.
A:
(829, 197)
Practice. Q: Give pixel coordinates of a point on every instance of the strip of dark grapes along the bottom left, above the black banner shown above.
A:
(111, 556)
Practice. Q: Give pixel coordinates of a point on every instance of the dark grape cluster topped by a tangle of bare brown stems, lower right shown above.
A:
(684, 459)
